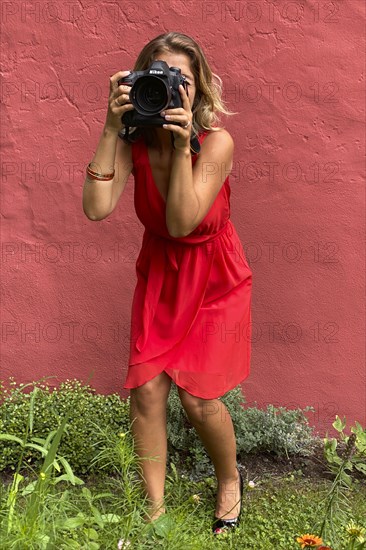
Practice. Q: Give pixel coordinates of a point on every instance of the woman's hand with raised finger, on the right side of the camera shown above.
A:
(183, 115)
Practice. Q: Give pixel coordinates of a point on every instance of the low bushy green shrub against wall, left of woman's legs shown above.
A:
(87, 410)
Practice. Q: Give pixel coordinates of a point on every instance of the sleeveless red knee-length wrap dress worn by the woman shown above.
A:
(191, 309)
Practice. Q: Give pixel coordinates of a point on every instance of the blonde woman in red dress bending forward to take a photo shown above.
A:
(191, 315)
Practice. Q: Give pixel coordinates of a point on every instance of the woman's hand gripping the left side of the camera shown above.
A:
(118, 102)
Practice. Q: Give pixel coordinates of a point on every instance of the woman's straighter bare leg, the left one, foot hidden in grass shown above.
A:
(148, 416)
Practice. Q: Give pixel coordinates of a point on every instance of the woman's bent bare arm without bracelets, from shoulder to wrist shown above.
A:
(192, 191)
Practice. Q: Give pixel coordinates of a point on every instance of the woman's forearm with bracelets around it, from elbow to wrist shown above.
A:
(97, 195)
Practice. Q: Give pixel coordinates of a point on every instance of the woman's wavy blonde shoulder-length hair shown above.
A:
(208, 100)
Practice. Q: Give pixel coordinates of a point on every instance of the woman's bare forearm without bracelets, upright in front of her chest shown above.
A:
(182, 203)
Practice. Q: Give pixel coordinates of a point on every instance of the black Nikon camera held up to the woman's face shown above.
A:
(153, 91)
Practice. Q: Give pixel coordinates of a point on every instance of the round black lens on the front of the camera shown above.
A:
(150, 95)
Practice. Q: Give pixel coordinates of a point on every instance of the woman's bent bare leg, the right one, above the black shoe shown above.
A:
(213, 423)
